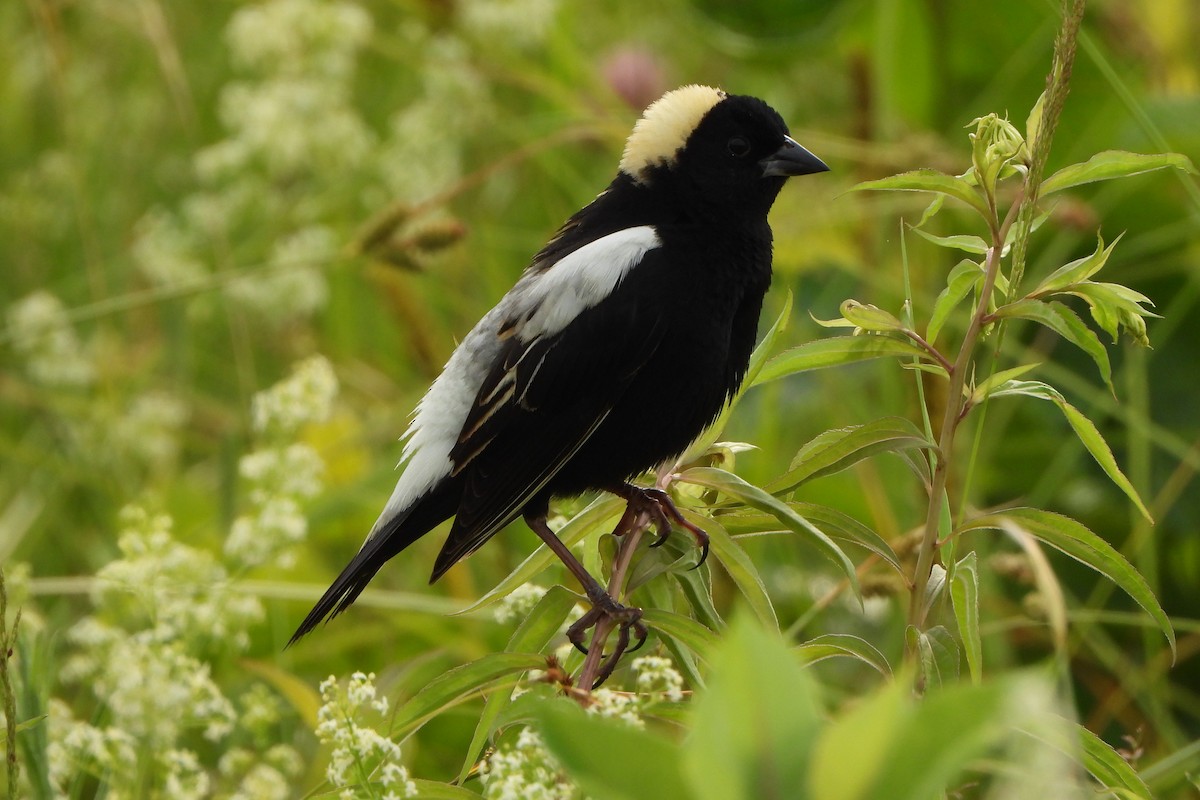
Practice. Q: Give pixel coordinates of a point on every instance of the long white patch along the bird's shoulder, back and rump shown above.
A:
(543, 303)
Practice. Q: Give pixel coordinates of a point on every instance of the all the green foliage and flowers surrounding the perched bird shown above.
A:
(196, 201)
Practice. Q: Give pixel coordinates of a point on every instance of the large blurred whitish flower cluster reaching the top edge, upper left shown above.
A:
(292, 131)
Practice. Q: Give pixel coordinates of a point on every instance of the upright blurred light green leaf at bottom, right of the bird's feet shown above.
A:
(754, 726)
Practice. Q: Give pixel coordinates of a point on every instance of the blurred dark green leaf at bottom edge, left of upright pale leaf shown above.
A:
(609, 759)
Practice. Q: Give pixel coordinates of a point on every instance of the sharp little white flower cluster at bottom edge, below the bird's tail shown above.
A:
(363, 763)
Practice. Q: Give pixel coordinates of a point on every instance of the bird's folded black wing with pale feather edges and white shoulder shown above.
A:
(568, 357)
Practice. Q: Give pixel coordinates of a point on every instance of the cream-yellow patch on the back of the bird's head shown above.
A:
(665, 128)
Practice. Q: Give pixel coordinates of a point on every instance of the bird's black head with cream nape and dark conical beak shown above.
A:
(725, 152)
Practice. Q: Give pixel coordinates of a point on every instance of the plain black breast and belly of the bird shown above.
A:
(705, 299)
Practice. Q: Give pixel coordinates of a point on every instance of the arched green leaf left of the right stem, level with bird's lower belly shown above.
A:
(839, 449)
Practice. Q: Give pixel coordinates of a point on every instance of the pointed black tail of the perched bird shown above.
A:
(399, 533)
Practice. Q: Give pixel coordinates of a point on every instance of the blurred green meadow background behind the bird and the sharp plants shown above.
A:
(193, 184)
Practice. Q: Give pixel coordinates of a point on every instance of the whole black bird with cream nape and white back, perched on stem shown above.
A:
(619, 346)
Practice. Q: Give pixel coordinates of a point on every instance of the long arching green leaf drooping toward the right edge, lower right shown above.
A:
(1076, 540)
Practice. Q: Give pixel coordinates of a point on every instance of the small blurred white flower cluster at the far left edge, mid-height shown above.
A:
(43, 334)
